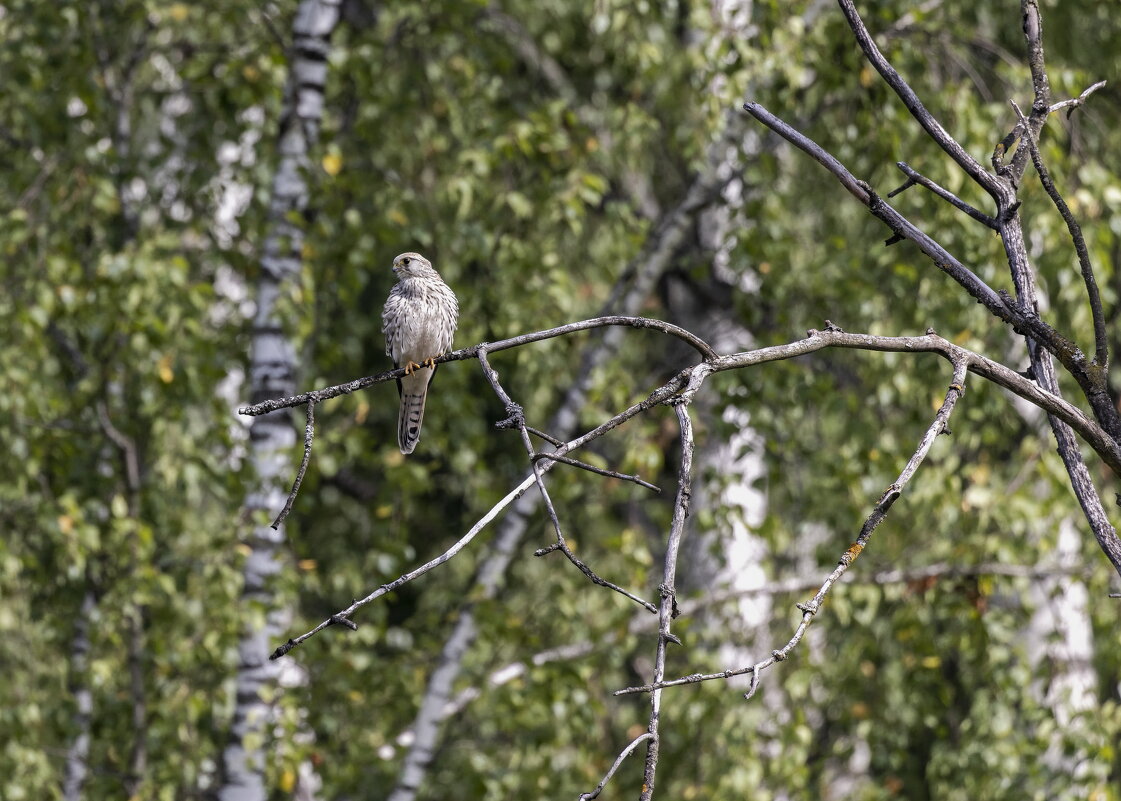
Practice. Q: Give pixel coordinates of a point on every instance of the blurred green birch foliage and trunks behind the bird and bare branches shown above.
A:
(554, 160)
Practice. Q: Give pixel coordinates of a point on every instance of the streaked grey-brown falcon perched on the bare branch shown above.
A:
(419, 322)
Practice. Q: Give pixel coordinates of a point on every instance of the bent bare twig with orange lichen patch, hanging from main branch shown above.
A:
(879, 513)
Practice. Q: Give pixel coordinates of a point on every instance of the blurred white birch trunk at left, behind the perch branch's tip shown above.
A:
(272, 374)
